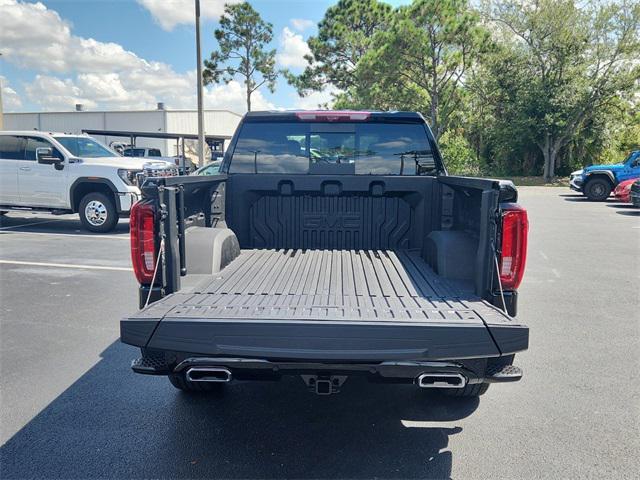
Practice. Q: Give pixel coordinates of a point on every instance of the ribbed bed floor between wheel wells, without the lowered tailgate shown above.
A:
(370, 273)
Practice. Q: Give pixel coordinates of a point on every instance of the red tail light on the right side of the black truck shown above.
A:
(515, 227)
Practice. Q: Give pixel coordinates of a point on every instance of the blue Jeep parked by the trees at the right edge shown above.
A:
(598, 181)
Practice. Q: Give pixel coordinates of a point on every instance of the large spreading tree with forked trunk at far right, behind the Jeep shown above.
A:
(563, 66)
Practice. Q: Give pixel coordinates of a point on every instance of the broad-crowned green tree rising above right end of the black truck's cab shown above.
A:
(422, 59)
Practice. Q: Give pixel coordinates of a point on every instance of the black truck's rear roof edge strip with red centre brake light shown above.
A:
(333, 115)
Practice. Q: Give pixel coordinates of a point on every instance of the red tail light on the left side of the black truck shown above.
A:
(143, 242)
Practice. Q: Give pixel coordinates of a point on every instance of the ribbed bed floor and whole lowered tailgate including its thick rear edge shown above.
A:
(354, 305)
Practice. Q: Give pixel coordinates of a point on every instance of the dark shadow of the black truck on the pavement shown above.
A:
(112, 423)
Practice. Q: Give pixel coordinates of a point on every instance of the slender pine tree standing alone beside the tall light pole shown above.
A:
(242, 39)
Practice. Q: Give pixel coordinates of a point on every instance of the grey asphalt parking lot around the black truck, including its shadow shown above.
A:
(71, 408)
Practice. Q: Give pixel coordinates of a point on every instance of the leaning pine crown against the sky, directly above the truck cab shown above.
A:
(344, 36)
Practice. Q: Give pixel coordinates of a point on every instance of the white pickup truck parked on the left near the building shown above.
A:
(62, 173)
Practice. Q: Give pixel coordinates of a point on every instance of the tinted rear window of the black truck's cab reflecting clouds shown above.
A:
(333, 148)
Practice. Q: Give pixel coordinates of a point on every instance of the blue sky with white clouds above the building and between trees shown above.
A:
(129, 54)
